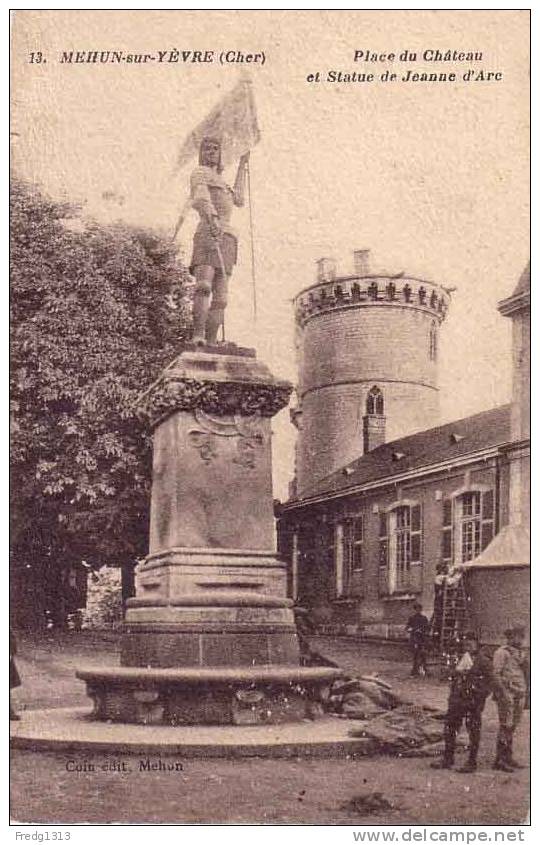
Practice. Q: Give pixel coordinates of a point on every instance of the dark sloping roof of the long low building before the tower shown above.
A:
(435, 445)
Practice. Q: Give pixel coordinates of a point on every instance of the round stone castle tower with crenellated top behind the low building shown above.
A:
(367, 363)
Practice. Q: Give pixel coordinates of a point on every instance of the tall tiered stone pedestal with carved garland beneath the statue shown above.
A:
(211, 595)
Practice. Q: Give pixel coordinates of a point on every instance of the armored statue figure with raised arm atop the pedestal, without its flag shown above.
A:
(215, 243)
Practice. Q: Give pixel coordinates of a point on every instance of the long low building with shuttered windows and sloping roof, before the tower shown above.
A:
(369, 541)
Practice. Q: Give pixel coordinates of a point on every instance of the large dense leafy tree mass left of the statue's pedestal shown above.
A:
(96, 312)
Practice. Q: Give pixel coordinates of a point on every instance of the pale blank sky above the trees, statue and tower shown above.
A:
(432, 178)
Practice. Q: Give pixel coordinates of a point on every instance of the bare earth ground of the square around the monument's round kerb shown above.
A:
(254, 790)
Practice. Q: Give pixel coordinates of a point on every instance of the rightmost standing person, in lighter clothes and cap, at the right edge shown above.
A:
(510, 669)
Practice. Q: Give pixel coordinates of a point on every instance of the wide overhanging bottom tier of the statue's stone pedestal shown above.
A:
(229, 696)
